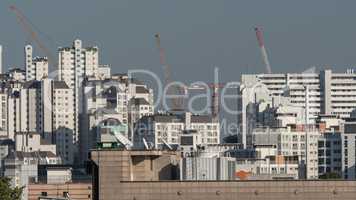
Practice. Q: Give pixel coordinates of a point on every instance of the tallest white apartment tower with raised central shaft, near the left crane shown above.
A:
(74, 64)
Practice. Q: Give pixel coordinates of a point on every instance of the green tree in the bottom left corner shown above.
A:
(7, 192)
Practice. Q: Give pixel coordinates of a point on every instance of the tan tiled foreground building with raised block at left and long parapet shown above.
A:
(113, 175)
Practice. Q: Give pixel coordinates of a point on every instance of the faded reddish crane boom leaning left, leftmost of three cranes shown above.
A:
(26, 25)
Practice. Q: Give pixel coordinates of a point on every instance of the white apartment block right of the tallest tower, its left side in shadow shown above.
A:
(120, 98)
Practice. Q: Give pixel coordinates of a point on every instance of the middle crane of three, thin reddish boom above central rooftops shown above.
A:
(176, 103)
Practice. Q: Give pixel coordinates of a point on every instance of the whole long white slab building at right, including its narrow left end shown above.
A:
(325, 92)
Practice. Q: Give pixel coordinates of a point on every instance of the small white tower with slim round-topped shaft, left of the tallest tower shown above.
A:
(36, 68)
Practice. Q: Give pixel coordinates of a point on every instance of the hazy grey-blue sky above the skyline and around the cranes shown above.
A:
(197, 34)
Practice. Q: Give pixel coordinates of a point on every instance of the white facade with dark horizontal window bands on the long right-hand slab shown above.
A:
(329, 93)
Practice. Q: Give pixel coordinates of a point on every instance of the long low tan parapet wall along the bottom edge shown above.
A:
(251, 190)
